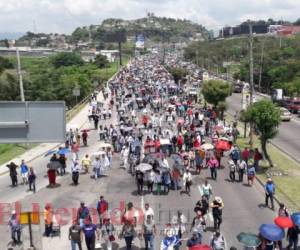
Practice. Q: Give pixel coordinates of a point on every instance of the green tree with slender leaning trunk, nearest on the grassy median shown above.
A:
(265, 115)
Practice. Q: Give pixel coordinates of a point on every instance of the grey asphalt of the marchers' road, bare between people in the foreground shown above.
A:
(243, 212)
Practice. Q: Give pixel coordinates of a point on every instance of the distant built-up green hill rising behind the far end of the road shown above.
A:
(154, 28)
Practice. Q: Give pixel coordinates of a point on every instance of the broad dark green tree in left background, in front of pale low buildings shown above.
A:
(66, 59)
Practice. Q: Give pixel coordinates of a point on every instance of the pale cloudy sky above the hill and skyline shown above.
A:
(63, 16)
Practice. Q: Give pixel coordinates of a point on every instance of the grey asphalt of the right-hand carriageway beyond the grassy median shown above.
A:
(288, 138)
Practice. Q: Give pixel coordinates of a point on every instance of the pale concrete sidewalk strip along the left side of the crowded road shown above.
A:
(79, 120)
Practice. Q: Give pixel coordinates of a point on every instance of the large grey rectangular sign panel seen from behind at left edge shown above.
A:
(30, 122)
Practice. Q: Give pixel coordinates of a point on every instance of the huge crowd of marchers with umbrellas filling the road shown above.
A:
(165, 137)
